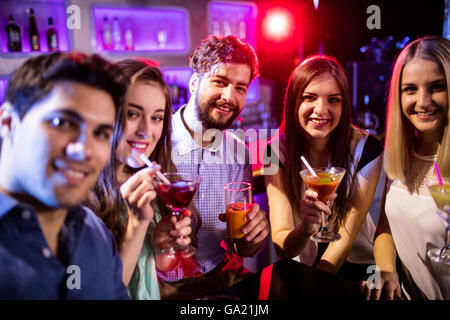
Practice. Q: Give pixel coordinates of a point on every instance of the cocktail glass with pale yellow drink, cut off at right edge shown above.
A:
(441, 196)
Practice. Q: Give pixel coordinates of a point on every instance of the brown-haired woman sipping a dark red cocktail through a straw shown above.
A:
(125, 197)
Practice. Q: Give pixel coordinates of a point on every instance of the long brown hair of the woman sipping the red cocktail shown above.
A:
(105, 198)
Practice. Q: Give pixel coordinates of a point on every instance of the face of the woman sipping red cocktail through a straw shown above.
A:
(145, 121)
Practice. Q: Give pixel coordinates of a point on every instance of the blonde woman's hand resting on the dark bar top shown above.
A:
(389, 286)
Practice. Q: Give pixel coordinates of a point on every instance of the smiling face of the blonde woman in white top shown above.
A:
(424, 96)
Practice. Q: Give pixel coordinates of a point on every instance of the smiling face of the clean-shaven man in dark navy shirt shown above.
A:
(60, 146)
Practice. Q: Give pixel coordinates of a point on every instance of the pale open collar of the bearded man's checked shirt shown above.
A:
(182, 141)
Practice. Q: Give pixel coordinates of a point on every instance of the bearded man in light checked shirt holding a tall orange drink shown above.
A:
(223, 70)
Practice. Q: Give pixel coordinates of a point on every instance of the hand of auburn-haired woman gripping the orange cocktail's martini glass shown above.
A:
(311, 210)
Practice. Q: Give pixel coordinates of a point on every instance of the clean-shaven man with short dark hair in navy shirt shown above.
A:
(57, 125)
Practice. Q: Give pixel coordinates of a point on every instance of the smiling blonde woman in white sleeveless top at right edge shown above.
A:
(417, 136)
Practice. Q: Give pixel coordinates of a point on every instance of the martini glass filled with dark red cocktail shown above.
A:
(177, 195)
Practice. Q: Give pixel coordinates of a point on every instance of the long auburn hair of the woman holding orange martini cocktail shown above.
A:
(296, 138)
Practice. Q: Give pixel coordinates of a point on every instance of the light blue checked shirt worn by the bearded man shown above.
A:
(225, 160)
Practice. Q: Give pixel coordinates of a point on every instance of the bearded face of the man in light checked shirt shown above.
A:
(220, 95)
